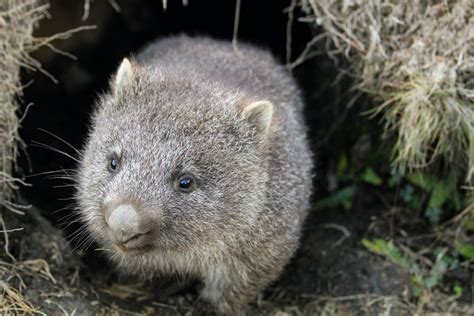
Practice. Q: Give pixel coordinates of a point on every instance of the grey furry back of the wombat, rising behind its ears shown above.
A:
(250, 70)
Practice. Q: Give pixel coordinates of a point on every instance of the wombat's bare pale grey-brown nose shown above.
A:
(124, 222)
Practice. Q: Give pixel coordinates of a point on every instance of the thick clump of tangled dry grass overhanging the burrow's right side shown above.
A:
(417, 57)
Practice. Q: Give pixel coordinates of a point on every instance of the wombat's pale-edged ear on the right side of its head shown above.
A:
(259, 114)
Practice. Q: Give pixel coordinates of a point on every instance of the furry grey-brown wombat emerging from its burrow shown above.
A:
(198, 164)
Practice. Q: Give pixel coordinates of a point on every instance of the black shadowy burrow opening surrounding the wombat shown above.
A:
(63, 109)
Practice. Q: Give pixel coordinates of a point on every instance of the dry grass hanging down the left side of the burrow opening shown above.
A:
(17, 20)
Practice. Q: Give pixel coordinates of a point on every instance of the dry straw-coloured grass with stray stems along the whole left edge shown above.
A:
(18, 18)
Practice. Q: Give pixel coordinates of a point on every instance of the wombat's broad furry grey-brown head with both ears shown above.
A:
(171, 163)
